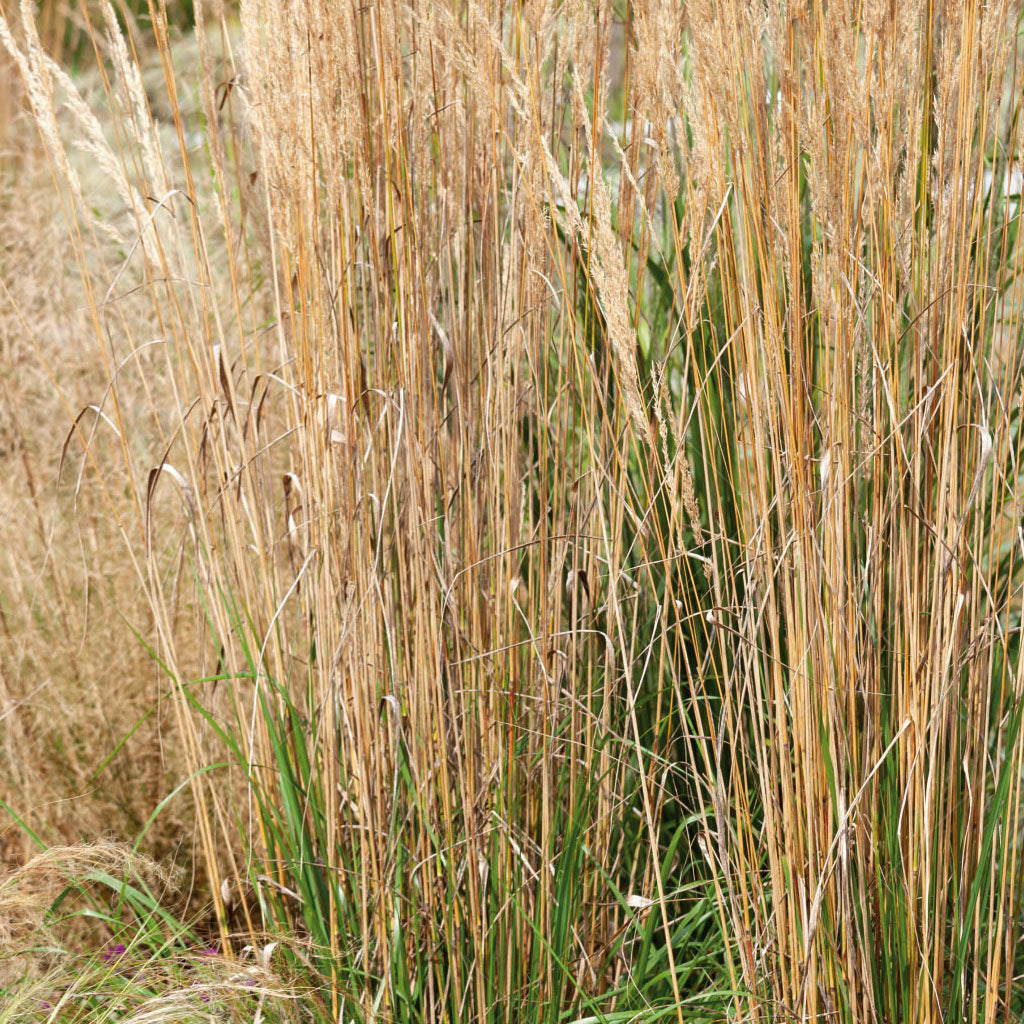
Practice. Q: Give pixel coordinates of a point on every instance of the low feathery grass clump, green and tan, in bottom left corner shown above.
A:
(88, 940)
